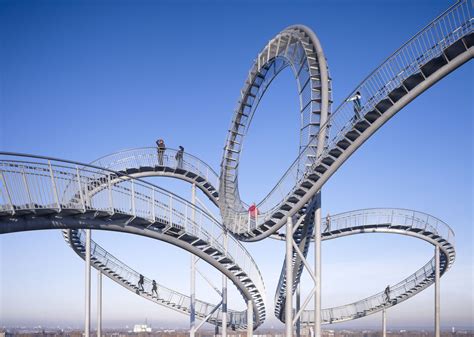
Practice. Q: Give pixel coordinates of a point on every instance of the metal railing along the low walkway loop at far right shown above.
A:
(388, 217)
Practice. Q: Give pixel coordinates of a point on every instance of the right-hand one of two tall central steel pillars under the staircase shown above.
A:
(317, 266)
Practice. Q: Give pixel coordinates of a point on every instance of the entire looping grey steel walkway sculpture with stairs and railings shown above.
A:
(47, 193)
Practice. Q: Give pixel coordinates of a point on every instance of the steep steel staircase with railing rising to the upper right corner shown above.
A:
(444, 45)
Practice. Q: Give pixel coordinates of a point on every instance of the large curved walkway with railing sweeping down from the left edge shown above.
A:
(46, 193)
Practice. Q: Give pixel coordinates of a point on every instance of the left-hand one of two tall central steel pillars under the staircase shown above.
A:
(289, 278)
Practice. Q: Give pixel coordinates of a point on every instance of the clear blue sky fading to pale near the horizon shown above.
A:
(82, 79)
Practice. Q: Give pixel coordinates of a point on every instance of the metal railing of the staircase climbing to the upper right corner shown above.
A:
(449, 27)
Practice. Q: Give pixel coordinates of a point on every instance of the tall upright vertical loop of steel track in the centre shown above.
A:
(296, 47)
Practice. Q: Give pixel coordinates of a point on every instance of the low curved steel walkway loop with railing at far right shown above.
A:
(393, 221)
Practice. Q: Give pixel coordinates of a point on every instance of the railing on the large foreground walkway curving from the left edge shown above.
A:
(48, 180)
